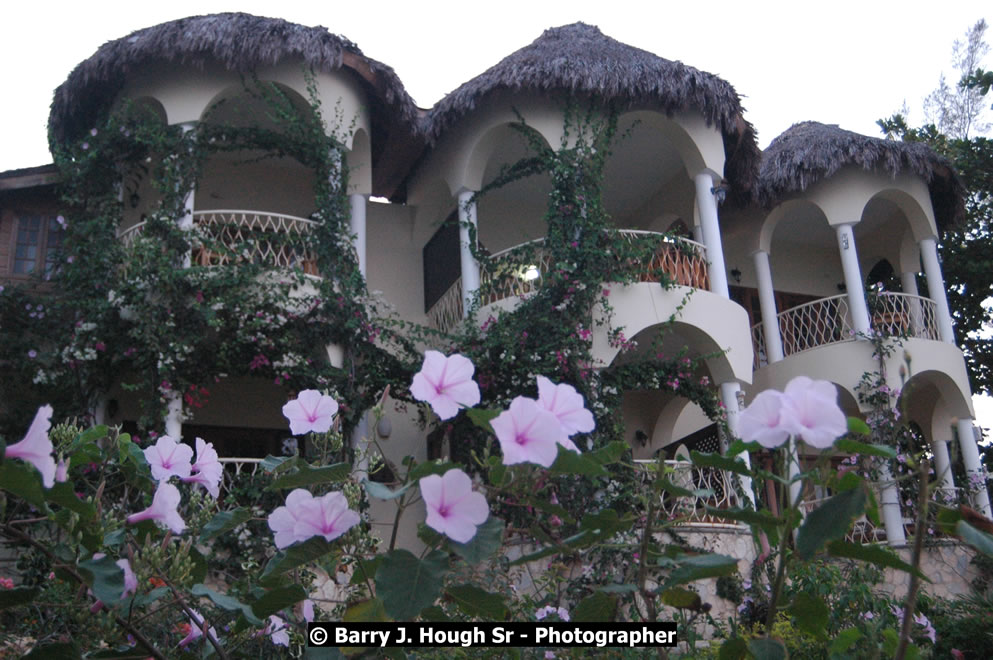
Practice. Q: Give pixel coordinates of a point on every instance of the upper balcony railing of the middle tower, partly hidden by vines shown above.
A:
(506, 276)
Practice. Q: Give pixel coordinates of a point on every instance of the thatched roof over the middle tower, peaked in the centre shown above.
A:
(580, 59)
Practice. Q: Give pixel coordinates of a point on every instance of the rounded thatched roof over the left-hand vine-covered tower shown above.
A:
(240, 42)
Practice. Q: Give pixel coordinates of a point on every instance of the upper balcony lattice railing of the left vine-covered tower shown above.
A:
(227, 236)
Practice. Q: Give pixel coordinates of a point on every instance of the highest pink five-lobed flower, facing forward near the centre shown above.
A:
(446, 383)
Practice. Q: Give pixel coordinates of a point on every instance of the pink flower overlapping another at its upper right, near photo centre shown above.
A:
(527, 433)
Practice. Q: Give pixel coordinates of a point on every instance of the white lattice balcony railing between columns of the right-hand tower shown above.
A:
(828, 321)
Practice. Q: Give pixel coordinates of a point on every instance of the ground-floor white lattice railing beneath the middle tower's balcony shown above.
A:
(693, 509)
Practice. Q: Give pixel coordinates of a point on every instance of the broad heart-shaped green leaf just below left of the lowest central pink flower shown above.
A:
(407, 584)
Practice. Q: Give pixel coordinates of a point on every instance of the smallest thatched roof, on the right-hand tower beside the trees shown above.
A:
(810, 151)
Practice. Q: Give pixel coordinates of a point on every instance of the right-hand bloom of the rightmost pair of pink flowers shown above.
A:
(813, 411)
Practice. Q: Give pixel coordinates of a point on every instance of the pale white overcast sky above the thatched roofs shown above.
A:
(843, 62)
